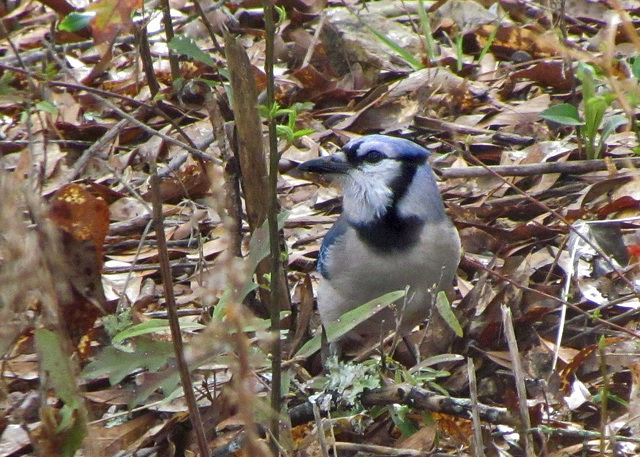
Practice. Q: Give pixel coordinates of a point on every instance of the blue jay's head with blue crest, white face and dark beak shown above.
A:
(380, 174)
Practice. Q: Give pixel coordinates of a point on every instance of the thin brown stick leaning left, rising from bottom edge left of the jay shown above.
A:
(174, 323)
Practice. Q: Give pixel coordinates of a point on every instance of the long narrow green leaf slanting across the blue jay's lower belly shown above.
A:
(348, 321)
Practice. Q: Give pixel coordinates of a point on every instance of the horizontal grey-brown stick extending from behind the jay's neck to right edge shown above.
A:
(573, 167)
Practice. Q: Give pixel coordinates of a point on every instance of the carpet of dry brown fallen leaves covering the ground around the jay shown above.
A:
(478, 83)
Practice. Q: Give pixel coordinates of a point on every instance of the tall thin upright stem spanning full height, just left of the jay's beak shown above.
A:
(274, 234)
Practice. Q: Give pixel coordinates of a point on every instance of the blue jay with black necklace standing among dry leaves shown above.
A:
(393, 233)
